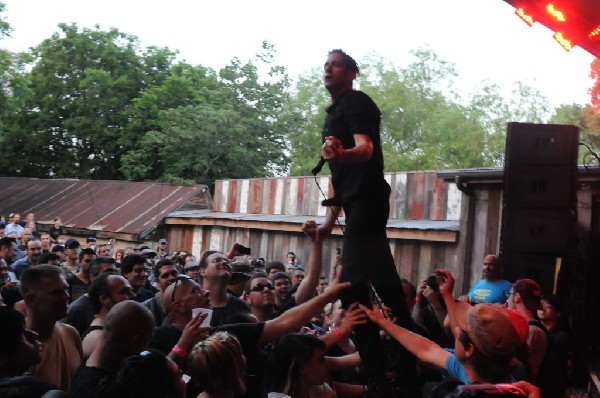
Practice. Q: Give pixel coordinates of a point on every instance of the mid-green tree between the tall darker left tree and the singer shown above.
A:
(213, 126)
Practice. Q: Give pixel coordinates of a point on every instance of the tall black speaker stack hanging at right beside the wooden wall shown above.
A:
(539, 213)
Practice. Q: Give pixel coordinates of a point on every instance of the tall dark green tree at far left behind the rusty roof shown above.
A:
(76, 122)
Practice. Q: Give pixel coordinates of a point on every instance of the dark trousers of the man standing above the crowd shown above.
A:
(367, 258)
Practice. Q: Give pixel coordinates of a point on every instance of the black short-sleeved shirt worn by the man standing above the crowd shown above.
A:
(355, 113)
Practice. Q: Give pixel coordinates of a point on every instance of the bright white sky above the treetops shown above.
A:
(483, 38)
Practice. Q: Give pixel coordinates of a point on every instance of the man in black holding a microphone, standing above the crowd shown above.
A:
(352, 149)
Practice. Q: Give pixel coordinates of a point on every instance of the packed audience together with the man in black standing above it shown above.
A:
(79, 321)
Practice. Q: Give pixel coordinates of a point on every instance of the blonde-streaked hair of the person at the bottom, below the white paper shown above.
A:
(217, 364)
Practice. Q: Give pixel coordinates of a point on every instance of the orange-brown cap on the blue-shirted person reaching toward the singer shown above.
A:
(489, 327)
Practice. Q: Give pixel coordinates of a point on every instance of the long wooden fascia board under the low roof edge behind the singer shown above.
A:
(392, 233)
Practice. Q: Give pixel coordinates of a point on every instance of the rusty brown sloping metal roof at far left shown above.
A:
(108, 206)
